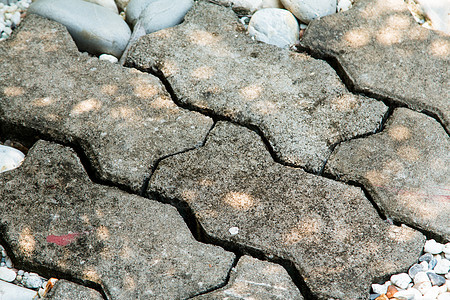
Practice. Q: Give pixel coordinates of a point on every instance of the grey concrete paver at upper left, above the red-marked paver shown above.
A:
(124, 120)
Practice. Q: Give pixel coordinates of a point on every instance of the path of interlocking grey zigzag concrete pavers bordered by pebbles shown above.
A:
(214, 166)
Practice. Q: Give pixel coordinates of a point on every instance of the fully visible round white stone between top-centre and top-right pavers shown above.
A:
(274, 26)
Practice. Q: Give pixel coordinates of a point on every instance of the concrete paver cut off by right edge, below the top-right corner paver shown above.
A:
(406, 168)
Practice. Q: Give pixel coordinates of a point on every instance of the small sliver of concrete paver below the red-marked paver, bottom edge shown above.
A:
(66, 290)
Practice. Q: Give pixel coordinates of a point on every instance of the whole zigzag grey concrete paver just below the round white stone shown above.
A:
(297, 102)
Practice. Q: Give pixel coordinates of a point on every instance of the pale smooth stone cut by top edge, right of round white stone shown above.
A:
(308, 10)
